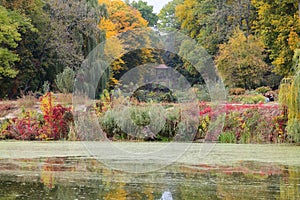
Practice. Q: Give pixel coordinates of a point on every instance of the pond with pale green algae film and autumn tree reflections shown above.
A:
(85, 177)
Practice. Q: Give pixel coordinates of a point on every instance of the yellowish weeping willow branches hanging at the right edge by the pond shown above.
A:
(289, 97)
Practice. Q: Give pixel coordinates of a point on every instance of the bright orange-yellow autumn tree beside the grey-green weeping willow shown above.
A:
(122, 19)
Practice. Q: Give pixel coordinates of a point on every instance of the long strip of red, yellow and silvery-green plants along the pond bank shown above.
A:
(226, 123)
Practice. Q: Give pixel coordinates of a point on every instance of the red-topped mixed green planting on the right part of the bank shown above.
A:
(258, 123)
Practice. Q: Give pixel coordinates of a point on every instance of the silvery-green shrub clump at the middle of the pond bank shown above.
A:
(138, 121)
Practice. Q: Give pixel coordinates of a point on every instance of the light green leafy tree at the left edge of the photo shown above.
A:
(12, 26)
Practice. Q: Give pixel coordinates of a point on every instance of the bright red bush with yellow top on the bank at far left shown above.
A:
(51, 125)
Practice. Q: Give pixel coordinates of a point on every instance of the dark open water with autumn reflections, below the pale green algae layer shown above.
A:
(85, 178)
